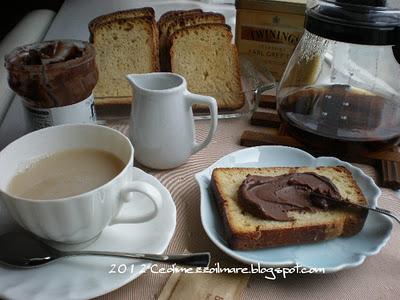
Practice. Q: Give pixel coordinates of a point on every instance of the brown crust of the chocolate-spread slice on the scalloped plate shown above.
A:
(286, 236)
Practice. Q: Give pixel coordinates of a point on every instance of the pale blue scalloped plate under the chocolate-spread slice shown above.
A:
(333, 255)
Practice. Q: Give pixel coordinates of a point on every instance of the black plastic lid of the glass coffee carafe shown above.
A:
(369, 22)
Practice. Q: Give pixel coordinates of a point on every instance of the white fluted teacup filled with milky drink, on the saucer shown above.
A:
(67, 183)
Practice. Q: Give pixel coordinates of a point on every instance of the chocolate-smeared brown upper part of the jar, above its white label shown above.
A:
(53, 73)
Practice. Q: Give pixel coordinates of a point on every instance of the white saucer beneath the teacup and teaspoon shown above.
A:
(88, 277)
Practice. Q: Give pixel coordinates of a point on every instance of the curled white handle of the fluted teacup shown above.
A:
(145, 188)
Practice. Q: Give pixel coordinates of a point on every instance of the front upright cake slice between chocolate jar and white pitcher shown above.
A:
(123, 46)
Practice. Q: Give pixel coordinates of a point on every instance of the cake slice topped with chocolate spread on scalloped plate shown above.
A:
(269, 207)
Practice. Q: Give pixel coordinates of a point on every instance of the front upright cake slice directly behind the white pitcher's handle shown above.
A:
(205, 56)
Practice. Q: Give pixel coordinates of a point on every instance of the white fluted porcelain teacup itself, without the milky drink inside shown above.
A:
(82, 217)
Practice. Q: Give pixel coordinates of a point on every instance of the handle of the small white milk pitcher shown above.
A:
(212, 104)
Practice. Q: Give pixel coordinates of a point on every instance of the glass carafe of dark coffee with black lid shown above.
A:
(341, 89)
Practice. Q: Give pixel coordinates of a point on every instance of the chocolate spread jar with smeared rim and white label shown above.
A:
(55, 79)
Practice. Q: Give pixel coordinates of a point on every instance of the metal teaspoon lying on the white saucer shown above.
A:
(23, 250)
